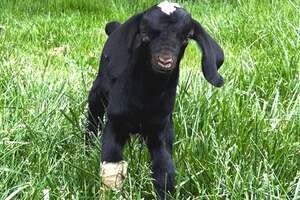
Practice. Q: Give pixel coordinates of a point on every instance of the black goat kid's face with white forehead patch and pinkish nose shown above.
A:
(165, 33)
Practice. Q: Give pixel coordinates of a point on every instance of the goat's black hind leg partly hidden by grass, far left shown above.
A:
(96, 109)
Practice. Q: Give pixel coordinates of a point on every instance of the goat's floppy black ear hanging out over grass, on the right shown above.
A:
(213, 56)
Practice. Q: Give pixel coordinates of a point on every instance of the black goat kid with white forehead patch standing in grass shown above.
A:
(136, 83)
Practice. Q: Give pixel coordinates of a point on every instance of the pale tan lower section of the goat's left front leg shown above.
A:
(113, 174)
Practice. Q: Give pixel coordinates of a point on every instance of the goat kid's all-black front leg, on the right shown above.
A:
(159, 142)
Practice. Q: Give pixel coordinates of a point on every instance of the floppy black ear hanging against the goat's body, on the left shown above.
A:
(119, 48)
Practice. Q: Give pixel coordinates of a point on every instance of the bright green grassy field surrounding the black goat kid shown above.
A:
(241, 141)
